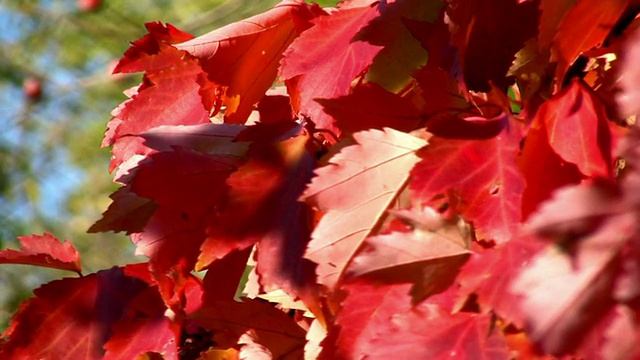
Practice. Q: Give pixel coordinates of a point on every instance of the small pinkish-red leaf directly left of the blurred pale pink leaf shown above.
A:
(489, 273)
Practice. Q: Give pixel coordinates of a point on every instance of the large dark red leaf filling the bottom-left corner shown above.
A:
(72, 318)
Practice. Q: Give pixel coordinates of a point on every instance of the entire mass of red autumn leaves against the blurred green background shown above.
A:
(426, 180)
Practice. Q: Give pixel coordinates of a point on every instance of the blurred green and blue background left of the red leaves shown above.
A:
(56, 93)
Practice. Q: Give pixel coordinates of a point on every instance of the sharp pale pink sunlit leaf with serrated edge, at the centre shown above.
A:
(355, 190)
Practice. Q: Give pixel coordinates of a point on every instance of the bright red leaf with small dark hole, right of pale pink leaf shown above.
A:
(490, 190)
